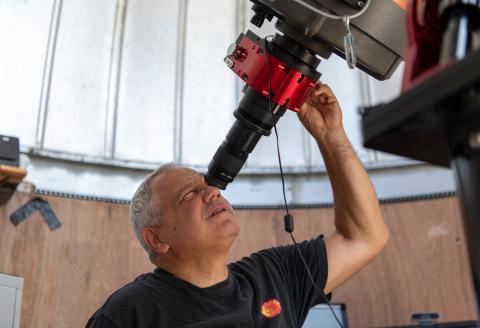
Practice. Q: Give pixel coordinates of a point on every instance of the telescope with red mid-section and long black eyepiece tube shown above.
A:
(280, 73)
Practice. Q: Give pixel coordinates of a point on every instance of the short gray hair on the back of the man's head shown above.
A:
(145, 209)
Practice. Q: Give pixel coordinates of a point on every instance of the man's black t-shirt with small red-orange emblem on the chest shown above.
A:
(270, 288)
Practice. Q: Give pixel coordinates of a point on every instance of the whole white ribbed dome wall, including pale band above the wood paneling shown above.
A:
(152, 80)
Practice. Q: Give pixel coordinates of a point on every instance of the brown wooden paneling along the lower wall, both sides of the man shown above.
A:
(69, 272)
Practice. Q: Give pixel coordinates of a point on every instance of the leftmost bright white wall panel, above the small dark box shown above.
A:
(24, 27)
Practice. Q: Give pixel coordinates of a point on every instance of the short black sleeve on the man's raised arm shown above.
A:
(289, 264)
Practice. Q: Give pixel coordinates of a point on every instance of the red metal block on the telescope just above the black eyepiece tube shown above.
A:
(289, 87)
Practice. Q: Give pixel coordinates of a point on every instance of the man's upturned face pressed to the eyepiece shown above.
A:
(195, 217)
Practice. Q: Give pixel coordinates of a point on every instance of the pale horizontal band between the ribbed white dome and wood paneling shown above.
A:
(256, 189)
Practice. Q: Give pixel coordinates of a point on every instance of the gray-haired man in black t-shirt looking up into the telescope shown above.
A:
(187, 228)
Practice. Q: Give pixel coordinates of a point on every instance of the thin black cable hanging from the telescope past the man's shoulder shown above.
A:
(289, 218)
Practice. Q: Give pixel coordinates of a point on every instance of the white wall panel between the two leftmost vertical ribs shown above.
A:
(77, 108)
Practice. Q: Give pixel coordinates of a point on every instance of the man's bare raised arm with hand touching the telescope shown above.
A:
(360, 233)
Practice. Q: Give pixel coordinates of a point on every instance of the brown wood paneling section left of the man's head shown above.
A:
(70, 271)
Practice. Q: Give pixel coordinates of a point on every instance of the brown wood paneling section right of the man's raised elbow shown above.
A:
(423, 268)
